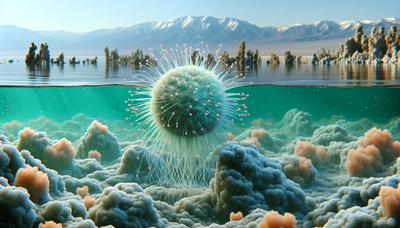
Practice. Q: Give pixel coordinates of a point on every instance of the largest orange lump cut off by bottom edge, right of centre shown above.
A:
(272, 219)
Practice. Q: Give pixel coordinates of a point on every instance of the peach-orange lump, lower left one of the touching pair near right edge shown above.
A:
(363, 161)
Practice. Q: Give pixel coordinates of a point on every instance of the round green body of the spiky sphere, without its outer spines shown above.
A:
(188, 101)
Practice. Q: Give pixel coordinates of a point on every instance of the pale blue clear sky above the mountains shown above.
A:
(89, 15)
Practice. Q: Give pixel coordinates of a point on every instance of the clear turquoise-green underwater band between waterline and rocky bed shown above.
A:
(270, 102)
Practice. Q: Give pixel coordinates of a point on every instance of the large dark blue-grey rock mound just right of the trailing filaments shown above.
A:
(246, 180)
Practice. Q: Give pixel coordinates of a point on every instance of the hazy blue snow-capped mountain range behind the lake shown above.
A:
(193, 31)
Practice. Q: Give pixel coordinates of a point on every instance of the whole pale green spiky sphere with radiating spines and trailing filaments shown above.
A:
(183, 106)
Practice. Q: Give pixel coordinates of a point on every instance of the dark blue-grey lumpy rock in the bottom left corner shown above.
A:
(16, 208)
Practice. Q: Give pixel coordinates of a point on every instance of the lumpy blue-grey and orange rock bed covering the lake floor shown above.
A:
(249, 180)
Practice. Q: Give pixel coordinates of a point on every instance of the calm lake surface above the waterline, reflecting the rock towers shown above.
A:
(301, 74)
